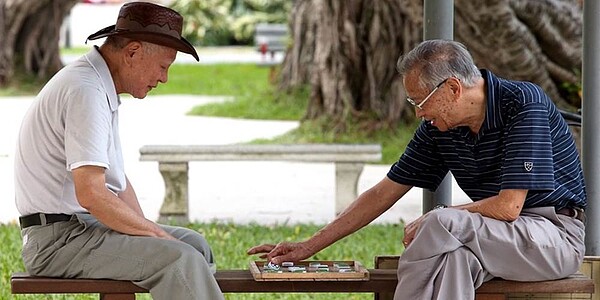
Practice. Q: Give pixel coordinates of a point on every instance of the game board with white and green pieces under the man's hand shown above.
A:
(309, 271)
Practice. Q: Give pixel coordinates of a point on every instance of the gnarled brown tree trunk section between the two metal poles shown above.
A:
(533, 40)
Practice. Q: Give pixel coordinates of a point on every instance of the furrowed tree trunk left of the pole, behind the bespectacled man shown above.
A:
(346, 51)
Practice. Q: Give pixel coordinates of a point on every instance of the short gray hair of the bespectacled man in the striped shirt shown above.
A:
(438, 60)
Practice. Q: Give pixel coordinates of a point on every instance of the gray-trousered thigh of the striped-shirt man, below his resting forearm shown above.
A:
(537, 246)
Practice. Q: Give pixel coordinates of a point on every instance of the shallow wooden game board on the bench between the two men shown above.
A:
(357, 272)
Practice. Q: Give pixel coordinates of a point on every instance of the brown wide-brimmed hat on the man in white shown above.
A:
(150, 23)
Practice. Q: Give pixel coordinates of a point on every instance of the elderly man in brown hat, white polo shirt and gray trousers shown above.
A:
(80, 216)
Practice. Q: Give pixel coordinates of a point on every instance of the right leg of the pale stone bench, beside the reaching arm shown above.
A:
(346, 184)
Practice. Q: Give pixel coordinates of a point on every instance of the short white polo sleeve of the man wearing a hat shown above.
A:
(88, 124)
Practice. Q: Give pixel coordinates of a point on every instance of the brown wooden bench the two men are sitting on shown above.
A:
(382, 283)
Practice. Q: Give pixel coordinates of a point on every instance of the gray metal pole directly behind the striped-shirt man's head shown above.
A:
(438, 23)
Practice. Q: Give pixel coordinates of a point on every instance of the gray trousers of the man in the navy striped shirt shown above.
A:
(455, 251)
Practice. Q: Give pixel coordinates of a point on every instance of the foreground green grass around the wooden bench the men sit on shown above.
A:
(230, 242)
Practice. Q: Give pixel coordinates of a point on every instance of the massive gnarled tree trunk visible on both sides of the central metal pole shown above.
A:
(346, 51)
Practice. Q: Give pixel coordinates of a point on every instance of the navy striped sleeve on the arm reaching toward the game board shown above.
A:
(421, 164)
